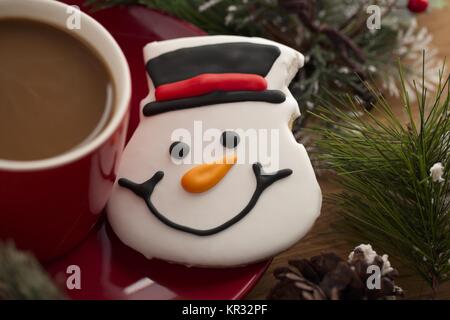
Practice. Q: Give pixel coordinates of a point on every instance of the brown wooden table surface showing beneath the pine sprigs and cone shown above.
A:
(322, 238)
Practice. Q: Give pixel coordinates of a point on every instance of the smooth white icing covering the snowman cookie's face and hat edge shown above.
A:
(285, 211)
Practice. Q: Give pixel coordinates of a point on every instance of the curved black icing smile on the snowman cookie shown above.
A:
(145, 190)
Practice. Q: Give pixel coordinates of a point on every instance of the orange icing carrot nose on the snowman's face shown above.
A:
(205, 176)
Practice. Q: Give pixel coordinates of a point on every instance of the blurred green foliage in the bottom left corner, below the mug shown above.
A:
(22, 277)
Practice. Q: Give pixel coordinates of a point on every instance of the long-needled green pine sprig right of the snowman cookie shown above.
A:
(388, 197)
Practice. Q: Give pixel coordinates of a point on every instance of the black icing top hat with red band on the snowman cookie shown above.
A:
(212, 74)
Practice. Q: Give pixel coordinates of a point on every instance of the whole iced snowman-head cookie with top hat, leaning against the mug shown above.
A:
(213, 175)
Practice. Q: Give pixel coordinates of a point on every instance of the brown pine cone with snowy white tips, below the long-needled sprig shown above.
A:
(328, 277)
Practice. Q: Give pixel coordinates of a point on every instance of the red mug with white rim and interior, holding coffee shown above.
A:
(48, 206)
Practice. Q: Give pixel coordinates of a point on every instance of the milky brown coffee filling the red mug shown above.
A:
(56, 92)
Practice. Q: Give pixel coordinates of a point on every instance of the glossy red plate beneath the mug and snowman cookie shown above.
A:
(109, 269)
